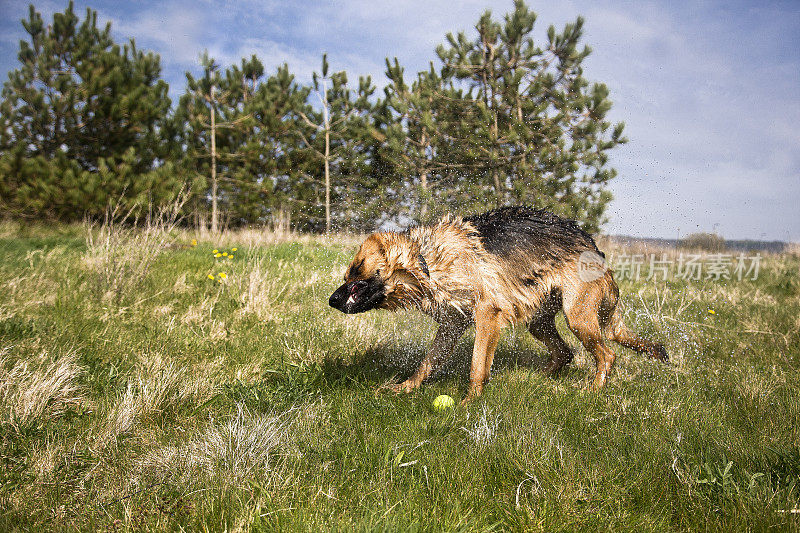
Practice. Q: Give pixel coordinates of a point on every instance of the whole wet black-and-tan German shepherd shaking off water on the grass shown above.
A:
(510, 265)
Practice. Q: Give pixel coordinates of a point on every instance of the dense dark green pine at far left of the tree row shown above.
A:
(81, 120)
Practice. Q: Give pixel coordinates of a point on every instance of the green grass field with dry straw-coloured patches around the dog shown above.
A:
(136, 393)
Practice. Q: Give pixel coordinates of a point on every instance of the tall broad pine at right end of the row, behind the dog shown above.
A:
(531, 129)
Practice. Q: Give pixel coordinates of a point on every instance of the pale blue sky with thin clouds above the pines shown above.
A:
(710, 91)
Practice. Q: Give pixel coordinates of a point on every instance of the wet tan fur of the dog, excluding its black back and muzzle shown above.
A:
(466, 284)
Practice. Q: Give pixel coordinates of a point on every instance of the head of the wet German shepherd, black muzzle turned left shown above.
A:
(382, 275)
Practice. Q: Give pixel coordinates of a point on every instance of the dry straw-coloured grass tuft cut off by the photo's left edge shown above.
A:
(37, 389)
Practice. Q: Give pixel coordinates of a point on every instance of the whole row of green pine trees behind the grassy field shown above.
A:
(497, 119)
